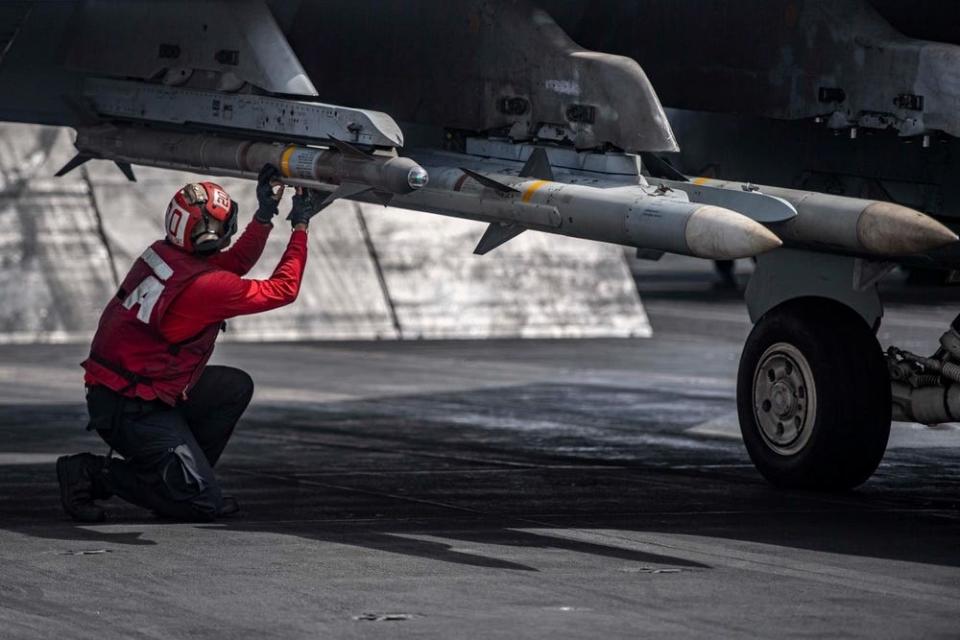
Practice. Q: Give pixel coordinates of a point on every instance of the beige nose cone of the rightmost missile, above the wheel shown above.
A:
(891, 229)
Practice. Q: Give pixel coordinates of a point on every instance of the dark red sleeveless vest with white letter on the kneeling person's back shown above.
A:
(129, 354)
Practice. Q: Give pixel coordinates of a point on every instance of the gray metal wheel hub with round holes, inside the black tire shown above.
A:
(784, 398)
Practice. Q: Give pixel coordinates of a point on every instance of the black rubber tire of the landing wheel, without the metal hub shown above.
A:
(851, 424)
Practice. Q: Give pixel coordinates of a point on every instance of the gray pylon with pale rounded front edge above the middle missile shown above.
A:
(491, 51)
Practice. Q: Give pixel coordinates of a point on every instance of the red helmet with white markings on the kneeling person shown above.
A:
(201, 218)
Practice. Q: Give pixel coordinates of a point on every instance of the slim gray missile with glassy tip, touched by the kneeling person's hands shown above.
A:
(342, 167)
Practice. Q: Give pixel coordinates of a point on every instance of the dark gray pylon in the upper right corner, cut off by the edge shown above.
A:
(806, 57)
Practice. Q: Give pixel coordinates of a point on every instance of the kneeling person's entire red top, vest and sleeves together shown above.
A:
(199, 297)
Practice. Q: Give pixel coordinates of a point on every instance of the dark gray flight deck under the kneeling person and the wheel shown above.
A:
(488, 489)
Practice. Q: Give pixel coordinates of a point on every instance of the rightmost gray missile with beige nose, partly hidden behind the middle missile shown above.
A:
(837, 223)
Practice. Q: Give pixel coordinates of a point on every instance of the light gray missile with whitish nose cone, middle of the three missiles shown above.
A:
(635, 215)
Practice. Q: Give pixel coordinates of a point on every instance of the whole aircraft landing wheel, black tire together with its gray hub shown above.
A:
(813, 396)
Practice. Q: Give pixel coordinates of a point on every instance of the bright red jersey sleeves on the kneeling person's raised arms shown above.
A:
(224, 293)
